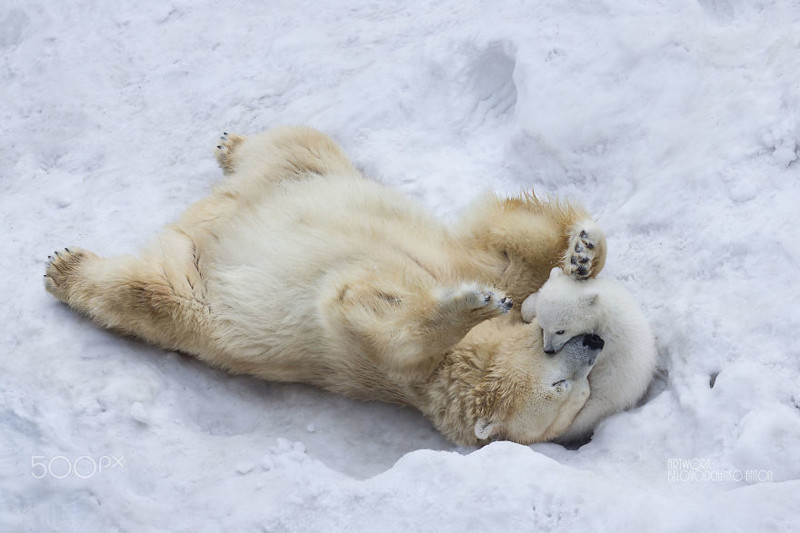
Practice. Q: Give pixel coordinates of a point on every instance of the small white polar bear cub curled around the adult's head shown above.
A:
(566, 307)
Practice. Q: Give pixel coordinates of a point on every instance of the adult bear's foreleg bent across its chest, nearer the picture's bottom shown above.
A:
(409, 334)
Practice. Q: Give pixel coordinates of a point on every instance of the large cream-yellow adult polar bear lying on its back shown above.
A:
(296, 268)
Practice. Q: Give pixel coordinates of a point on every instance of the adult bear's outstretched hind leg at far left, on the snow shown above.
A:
(159, 302)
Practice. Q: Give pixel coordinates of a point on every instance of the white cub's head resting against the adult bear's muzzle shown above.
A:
(564, 307)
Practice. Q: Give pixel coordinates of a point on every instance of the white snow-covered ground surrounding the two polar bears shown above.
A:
(677, 123)
